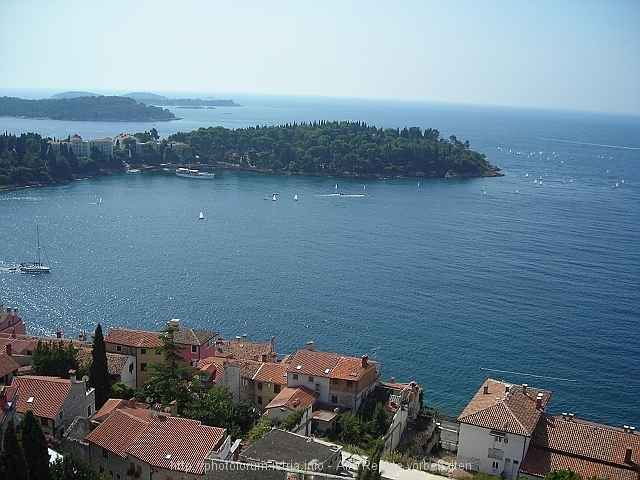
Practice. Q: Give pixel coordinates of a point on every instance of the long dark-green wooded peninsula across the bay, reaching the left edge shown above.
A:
(338, 149)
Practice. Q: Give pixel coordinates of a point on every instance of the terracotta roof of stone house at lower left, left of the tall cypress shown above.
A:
(48, 394)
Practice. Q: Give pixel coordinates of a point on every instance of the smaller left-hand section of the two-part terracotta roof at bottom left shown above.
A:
(118, 432)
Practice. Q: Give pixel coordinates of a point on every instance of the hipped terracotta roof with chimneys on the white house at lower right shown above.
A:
(513, 412)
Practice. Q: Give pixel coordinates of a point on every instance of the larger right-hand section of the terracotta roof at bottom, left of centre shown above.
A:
(171, 441)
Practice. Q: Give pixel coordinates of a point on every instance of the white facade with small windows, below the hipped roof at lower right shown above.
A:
(496, 453)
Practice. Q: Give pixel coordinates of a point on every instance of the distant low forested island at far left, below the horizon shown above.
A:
(100, 108)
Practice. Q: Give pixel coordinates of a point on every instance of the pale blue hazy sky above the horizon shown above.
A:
(567, 54)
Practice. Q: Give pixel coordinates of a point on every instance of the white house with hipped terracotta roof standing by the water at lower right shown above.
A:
(497, 425)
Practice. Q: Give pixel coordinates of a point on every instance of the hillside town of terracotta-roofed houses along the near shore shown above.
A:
(301, 399)
